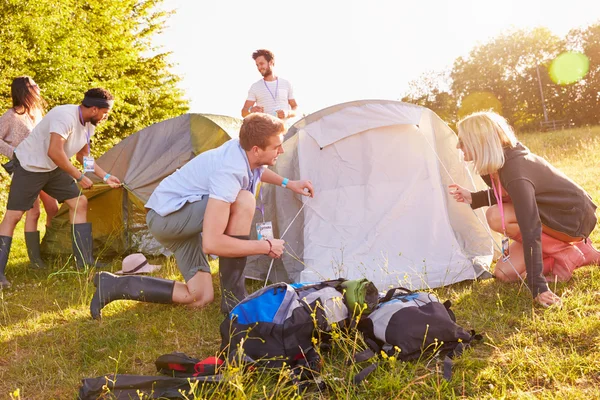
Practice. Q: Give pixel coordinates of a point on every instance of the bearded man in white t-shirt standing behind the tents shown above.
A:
(271, 95)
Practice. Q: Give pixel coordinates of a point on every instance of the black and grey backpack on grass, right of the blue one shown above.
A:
(408, 325)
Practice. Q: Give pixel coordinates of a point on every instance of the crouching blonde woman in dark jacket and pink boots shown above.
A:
(548, 216)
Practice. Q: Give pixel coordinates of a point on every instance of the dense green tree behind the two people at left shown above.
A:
(70, 46)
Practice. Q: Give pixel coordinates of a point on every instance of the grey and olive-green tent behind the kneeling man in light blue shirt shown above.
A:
(141, 161)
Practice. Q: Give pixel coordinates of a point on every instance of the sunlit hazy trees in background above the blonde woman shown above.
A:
(505, 75)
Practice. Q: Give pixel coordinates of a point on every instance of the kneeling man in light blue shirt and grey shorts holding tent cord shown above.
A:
(207, 207)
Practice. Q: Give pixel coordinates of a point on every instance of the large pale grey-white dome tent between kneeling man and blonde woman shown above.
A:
(382, 210)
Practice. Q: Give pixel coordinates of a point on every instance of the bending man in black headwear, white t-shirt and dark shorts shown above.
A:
(42, 162)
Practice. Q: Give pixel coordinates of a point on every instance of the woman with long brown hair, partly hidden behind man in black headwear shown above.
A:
(15, 125)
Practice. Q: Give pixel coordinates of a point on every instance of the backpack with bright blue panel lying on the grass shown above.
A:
(275, 326)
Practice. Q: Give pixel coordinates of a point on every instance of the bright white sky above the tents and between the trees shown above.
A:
(334, 51)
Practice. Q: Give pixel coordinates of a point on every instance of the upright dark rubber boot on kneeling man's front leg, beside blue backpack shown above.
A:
(233, 280)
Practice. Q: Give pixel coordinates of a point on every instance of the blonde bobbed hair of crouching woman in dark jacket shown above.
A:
(485, 135)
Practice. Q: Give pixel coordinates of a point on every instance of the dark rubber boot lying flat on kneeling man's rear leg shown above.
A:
(111, 287)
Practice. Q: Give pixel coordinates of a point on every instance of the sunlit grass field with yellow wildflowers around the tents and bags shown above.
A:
(48, 342)
